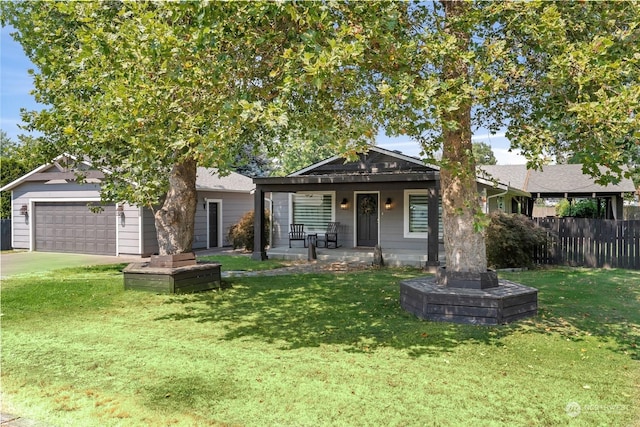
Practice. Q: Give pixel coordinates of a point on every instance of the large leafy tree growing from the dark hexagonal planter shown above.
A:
(559, 76)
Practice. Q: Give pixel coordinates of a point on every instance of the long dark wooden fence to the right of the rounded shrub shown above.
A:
(590, 243)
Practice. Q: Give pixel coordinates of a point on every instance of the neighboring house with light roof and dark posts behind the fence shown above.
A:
(558, 182)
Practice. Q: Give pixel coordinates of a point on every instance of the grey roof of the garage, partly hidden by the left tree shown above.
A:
(206, 178)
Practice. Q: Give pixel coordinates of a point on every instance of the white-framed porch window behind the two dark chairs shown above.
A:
(314, 210)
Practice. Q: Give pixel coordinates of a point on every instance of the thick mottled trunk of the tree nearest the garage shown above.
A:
(175, 219)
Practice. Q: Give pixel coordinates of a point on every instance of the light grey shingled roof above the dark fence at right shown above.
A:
(555, 180)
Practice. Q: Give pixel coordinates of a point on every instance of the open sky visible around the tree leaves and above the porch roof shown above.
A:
(16, 83)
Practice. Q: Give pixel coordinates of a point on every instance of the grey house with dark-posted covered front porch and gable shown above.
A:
(384, 198)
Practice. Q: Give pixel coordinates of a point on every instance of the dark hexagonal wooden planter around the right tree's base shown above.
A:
(471, 303)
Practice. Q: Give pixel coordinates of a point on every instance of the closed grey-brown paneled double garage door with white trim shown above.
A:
(72, 227)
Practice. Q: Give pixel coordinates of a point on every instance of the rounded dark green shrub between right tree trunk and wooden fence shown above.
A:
(511, 239)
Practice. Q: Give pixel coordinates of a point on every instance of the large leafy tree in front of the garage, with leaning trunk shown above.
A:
(152, 90)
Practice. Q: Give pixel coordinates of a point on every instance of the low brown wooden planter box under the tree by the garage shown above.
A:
(191, 278)
